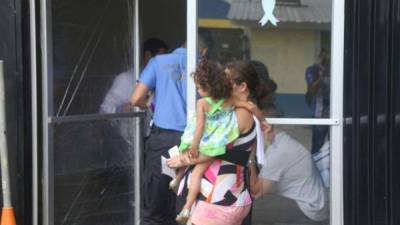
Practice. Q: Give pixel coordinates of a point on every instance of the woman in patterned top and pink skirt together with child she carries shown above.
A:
(224, 130)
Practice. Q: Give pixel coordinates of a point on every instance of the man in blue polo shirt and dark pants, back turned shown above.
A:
(165, 75)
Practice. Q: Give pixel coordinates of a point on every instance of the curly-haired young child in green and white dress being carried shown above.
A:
(211, 129)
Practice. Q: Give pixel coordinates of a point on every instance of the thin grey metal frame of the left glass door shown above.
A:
(47, 173)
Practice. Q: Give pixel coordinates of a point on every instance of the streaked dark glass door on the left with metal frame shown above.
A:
(91, 138)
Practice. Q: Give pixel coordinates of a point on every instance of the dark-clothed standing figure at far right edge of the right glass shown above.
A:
(318, 97)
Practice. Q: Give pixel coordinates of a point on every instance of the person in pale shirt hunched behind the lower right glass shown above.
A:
(291, 187)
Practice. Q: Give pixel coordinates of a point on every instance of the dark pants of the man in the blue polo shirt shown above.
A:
(159, 201)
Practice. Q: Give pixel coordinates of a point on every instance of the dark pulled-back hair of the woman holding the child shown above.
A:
(261, 92)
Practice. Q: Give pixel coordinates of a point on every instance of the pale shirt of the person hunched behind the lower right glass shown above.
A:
(290, 165)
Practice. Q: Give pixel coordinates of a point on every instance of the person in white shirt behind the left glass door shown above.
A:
(118, 142)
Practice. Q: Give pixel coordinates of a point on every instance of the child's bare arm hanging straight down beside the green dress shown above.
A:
(198, 132)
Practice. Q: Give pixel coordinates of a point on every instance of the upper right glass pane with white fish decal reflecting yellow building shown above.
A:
(298, 45)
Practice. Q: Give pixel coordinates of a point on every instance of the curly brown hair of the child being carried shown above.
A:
(212, 78)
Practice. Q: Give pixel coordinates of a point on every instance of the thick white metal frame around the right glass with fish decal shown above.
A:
(336, 118)
